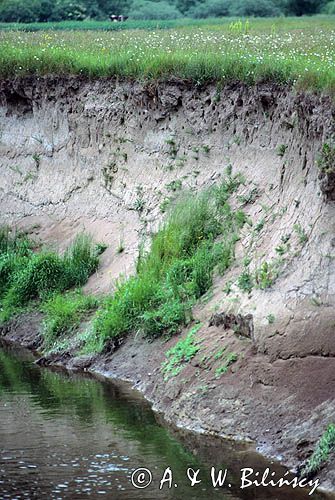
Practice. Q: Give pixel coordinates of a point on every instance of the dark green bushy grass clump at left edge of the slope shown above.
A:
(26, 276)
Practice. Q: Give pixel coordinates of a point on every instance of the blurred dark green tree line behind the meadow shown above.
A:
(75, 10)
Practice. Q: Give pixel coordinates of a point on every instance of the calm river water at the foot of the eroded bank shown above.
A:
(70, 436)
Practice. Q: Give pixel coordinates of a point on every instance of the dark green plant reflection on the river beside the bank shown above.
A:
(82, 398)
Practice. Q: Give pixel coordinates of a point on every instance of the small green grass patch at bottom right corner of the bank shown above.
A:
(324, 448)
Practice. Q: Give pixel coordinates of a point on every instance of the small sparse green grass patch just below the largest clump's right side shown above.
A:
(177, 357)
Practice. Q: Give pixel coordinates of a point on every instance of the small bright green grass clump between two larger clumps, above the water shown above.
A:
(64, 313)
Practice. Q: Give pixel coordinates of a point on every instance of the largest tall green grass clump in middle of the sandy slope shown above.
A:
(199, 234)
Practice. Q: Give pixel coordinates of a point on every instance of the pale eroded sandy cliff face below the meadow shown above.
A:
(107, 156)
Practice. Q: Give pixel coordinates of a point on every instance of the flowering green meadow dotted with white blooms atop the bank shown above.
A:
(293, 51)
